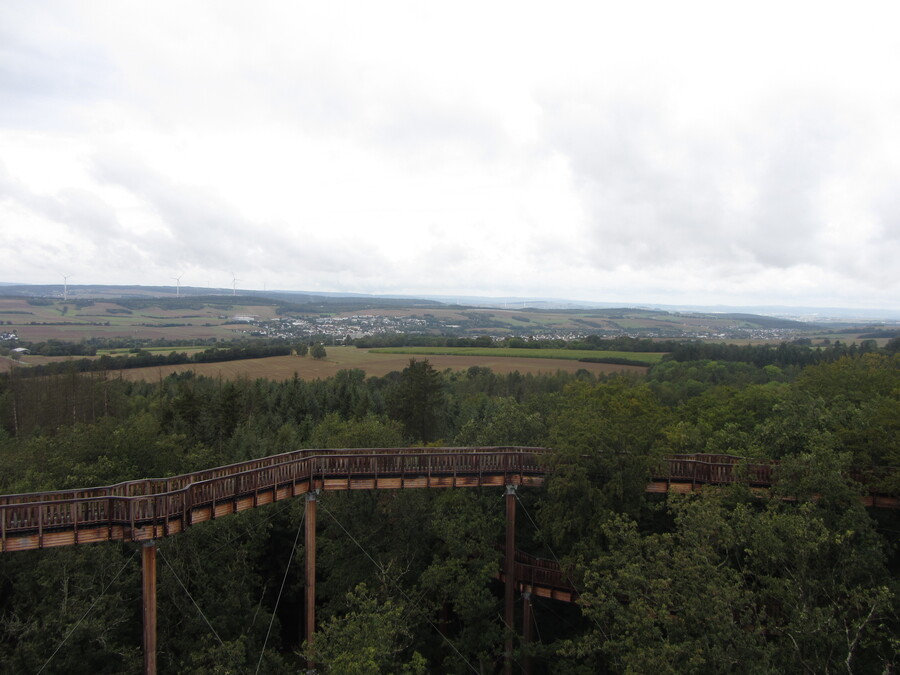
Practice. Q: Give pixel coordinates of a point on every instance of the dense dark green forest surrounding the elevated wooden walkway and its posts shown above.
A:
(799, 579)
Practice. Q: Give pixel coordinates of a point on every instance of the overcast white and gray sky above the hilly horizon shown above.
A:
(641, 152)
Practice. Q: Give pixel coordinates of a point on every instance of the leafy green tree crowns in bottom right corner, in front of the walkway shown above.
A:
(738, 588)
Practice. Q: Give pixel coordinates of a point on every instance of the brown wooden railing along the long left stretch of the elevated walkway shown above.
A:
(136, 504)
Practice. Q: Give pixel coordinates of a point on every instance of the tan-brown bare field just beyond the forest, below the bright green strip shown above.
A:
(374, 364)
